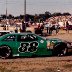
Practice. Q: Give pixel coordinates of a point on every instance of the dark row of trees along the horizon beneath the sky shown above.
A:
(36, 17)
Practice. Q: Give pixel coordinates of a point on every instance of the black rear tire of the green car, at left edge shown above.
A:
(5, 52)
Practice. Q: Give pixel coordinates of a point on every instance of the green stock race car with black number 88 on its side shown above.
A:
(29, 44)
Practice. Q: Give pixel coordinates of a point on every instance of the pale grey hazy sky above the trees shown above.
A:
(16, 7)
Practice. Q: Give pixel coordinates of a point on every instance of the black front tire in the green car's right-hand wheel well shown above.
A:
(60, 49)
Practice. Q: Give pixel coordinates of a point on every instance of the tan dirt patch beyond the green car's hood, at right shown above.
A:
(63, 35)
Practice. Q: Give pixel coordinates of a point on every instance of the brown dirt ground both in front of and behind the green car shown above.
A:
(40, 64)
